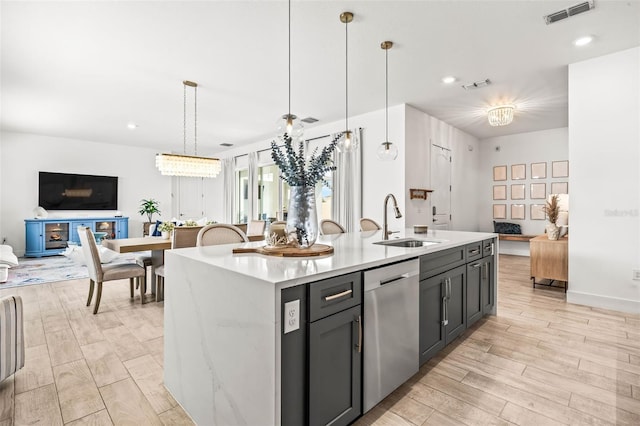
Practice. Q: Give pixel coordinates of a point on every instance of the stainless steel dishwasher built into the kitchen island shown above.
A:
(391, 341)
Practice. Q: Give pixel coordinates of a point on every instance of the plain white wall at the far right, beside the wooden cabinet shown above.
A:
(604, 153)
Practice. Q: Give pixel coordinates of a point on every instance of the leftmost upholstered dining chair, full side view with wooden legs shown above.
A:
(99, 274)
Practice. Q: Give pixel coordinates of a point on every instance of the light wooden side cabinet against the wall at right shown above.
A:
(549, 260)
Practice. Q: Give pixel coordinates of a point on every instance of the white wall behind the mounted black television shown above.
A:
(24, 155)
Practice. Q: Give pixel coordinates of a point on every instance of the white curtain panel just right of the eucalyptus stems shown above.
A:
(347, 186)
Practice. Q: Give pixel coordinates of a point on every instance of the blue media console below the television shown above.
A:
(48, 237)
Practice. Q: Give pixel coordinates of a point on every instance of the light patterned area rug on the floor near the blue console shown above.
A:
(51, 269)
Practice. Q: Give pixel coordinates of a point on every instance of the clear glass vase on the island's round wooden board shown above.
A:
(302, 217)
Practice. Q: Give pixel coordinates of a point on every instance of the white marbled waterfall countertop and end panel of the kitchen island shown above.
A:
(223, 360)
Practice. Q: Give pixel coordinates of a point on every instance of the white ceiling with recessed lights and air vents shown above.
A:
(84, 69)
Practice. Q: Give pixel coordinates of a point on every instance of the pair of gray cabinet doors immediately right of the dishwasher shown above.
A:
(442, 310)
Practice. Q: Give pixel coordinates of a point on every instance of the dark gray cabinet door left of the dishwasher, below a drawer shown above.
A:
(335, 361)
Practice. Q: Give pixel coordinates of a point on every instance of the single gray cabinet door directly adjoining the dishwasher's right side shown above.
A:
(432, 310)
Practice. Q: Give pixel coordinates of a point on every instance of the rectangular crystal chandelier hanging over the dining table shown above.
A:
(188, 165)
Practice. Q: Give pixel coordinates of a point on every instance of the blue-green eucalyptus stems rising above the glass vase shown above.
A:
(295, 169)
